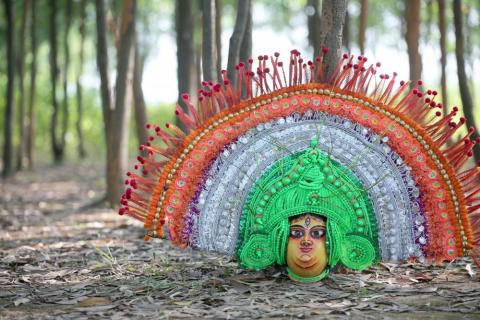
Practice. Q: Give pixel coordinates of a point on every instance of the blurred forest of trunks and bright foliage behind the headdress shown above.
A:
(62, 56)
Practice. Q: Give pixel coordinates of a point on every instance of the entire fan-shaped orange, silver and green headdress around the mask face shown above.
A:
(369, 155)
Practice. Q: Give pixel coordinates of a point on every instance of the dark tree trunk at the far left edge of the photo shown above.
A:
(7, 147)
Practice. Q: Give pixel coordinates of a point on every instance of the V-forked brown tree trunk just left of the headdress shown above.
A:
(116, 113)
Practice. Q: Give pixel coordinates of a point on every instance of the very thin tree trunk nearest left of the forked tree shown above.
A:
(81, 147)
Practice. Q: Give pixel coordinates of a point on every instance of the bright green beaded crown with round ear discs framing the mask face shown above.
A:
(308, 182)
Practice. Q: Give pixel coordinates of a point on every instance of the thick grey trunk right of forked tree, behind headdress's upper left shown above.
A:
(186, 73)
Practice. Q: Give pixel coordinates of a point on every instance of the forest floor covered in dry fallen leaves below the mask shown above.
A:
(59, 261)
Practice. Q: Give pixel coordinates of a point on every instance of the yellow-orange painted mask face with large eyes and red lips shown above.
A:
(306, 250)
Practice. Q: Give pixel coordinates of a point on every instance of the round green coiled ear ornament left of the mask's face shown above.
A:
(257, 252)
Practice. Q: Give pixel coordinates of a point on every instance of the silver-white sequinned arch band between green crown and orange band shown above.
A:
(214, 211)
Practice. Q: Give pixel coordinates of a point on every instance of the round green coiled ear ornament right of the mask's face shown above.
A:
(357, 252)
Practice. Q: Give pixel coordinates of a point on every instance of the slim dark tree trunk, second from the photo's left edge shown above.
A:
(30, 140)
